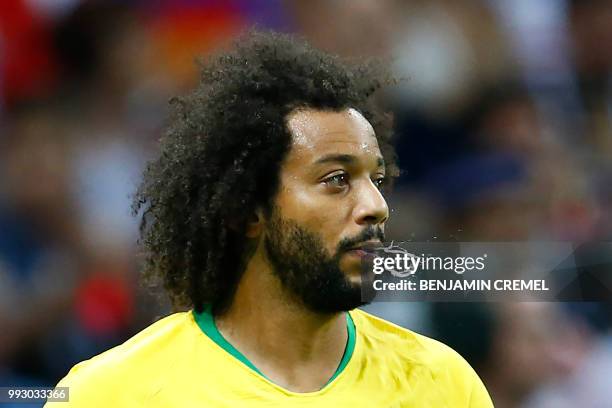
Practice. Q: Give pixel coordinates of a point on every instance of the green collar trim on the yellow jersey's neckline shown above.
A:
(206, 322)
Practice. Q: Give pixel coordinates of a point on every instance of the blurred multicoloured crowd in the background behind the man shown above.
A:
(504, 133)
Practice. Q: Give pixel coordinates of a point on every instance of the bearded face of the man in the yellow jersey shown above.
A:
(329, 202)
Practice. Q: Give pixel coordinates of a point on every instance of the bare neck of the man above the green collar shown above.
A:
(292, 346)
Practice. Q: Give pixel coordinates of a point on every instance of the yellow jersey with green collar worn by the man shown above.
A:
(183, 361)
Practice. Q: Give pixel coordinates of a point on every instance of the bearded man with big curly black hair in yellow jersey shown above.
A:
(258, 215)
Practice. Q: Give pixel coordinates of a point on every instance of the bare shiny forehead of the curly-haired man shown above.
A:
(317, 129)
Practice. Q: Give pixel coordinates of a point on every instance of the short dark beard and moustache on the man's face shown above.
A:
(306, 269)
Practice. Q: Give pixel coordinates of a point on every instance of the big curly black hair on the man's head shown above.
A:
(222, 152)
